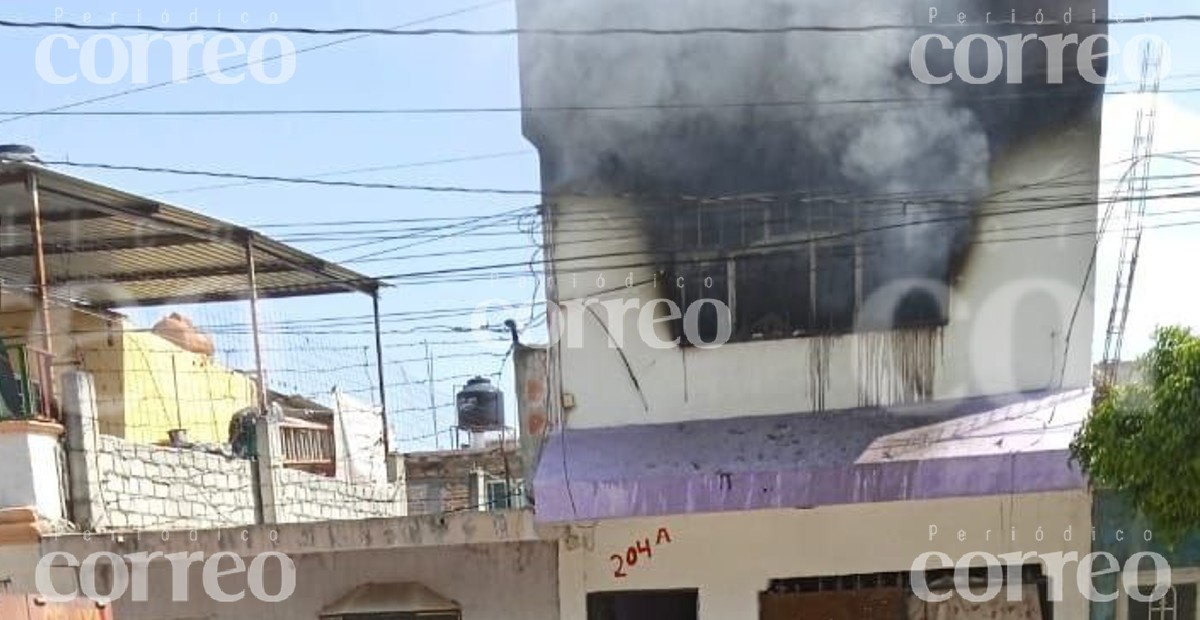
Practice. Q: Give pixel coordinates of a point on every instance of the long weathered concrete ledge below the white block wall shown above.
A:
(434, 531)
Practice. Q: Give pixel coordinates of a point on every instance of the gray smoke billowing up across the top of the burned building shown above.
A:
(923, 154)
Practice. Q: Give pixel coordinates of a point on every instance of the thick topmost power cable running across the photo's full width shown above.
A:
(568, 32)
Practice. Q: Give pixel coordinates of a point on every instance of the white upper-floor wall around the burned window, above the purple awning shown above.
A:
(1010, 312)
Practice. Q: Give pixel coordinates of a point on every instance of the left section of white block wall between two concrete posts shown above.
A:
(153, 487)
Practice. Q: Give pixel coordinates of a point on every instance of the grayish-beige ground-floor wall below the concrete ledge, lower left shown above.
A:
(491, 582)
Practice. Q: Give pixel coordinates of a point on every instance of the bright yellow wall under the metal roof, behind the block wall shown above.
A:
(167, 388)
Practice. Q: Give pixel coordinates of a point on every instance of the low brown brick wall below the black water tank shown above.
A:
(442, 481)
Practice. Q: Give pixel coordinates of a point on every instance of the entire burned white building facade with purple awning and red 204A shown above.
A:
(795, 356)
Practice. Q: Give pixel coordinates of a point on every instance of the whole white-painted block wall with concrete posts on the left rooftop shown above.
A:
(122, 485)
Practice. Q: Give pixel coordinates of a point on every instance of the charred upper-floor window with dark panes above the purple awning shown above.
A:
(800, 269)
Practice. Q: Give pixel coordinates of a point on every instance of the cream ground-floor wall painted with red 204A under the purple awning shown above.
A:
(730, 558)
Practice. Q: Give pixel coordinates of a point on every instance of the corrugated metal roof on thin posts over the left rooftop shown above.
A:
(112, 249)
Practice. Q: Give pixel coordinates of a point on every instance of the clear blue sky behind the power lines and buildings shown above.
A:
(436, 73)
